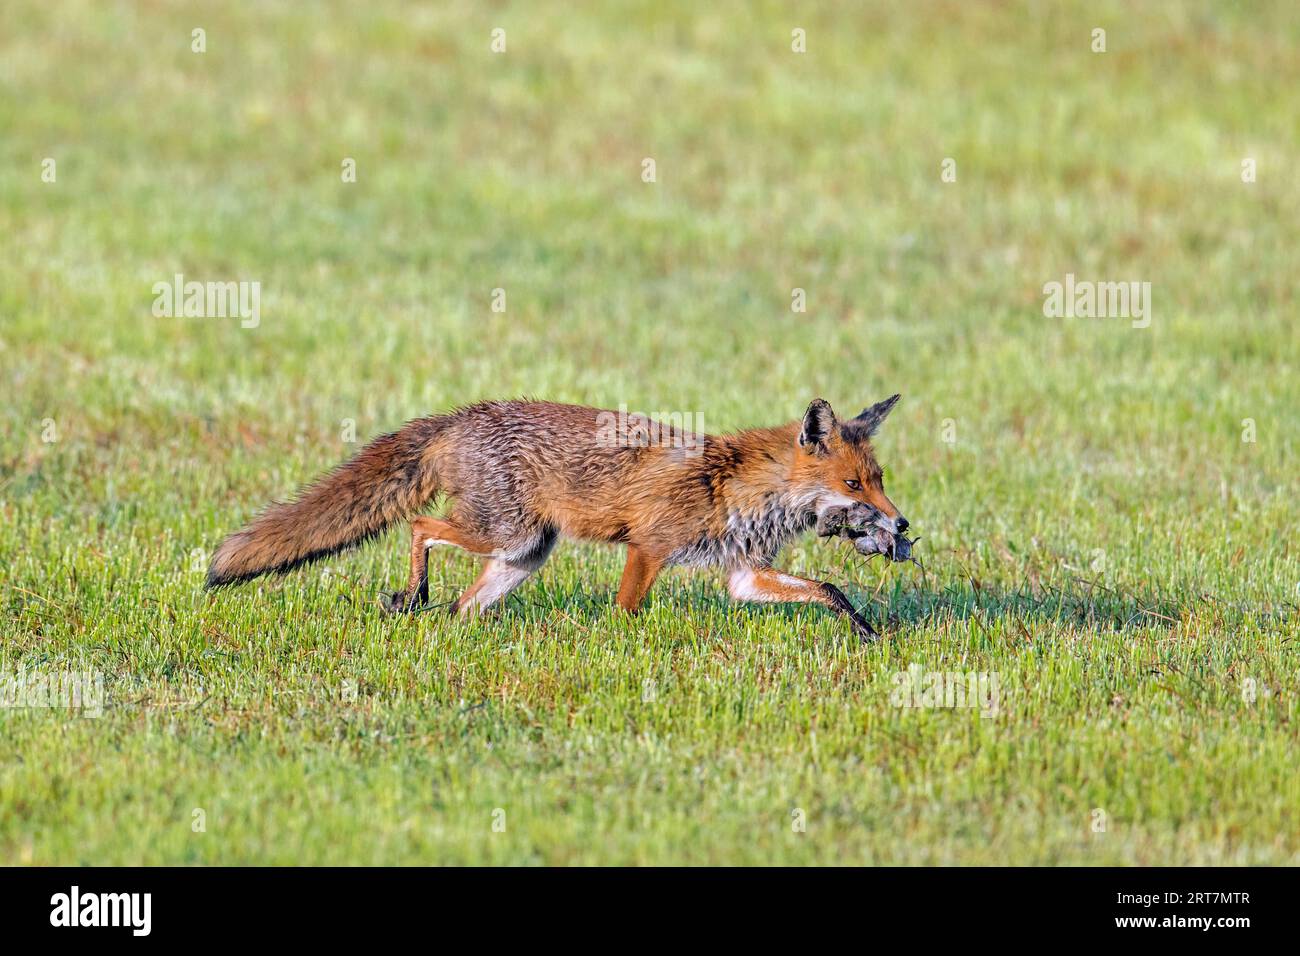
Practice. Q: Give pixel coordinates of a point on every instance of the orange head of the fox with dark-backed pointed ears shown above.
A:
(837, 466)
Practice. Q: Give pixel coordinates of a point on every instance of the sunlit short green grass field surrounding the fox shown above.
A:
(1108, 513)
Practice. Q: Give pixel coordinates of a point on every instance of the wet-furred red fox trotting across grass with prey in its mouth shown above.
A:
(521, 474)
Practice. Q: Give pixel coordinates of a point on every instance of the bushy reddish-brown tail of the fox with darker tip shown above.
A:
(388, 481)
